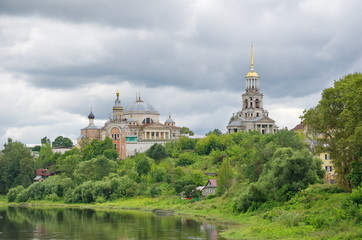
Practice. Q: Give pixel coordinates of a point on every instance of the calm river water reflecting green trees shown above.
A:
(22, 223)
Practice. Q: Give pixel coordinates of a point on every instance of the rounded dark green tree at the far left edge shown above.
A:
(16, 166)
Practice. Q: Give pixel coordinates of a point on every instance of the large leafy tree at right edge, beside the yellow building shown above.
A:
(337, 121)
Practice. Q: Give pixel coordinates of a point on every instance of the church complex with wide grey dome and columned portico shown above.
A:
(134, 129)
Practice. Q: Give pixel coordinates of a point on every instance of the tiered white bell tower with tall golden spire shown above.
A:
(252, 116)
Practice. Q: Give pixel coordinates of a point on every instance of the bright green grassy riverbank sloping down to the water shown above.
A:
(316, 213)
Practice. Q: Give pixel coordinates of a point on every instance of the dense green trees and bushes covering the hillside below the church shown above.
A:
(253, 169)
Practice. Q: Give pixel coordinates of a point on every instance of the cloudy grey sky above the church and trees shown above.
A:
(59, 59)
